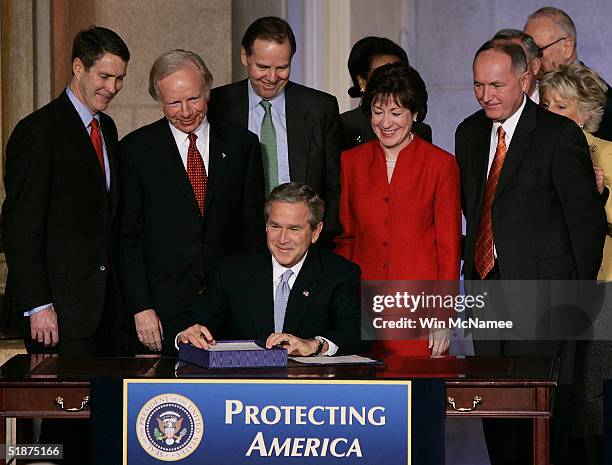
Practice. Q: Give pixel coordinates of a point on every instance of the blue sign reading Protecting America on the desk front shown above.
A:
(266, 422)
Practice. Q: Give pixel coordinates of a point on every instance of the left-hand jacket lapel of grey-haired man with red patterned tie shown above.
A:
(170, 159)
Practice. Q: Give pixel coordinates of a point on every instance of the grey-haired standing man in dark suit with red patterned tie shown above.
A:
(193, 195)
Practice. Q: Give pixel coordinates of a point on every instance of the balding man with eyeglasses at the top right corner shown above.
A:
(555, 33)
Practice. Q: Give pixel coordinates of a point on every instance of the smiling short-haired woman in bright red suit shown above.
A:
(399, 204)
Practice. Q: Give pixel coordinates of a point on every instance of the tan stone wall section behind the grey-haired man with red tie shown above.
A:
(151, 27)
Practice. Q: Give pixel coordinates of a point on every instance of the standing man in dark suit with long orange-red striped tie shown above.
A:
(530, 203)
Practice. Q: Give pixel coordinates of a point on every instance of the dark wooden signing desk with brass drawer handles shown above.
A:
(478, 387)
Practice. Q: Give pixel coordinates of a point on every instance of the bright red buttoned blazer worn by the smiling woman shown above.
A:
(408, 229)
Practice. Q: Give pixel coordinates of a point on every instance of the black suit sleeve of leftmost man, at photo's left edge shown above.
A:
(28, 183)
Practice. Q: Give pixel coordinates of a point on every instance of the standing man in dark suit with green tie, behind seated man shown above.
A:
(299, 127)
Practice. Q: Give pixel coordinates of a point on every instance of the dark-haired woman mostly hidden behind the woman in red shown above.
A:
(366, 55)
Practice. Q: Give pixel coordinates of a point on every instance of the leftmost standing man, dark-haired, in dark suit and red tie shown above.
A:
(59, 217)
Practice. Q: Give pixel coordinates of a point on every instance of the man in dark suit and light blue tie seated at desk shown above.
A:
(303, 297)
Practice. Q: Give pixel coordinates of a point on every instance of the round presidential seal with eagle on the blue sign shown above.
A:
(169, 427)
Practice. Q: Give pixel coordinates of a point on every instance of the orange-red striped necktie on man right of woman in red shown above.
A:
(484, 258)
